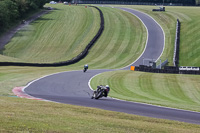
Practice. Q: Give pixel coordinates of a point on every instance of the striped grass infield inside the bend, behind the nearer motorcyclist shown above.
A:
(171, 90)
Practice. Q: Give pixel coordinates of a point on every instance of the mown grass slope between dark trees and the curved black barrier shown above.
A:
(57, 36)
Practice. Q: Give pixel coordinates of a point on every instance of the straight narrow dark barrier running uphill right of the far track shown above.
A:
(177, 44)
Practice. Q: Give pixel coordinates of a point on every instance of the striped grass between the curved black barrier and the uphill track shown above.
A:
(121, 43)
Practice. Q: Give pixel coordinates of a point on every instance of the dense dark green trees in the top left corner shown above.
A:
(12, 11)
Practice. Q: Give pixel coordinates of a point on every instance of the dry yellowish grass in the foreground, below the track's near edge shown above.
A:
(22, 115)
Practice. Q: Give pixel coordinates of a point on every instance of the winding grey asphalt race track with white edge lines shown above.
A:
(73, 87)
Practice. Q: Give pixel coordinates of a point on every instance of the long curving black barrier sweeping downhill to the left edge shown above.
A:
(68, 62)
